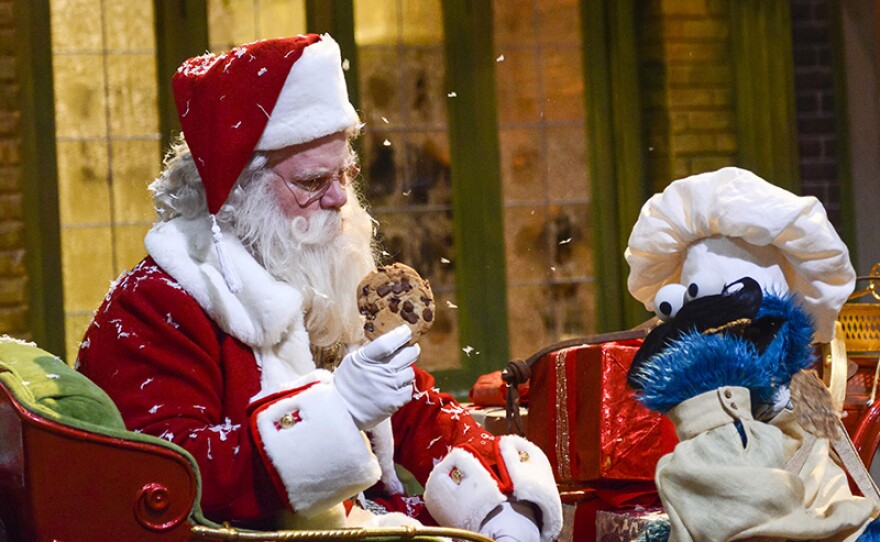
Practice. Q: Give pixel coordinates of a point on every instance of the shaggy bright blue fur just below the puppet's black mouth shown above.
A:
(697, 363)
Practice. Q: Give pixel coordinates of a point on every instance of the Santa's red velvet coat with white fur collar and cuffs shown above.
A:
(229, 377)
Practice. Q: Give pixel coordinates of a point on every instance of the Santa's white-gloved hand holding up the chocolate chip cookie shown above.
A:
(376, 380)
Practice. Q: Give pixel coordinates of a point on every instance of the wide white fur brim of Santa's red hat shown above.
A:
(313, 102)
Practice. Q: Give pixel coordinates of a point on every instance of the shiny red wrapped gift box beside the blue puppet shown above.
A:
(587, 420)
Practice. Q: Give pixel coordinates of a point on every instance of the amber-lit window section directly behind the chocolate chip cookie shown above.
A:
(405, 152)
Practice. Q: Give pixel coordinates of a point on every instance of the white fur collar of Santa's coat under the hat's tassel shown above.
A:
(260, 315)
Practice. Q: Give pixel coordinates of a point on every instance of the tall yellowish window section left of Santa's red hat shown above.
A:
(107, 143)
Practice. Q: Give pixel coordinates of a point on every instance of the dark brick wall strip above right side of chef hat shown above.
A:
(814, 93)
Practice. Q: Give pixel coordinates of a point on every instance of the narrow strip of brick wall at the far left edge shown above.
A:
(13, 275)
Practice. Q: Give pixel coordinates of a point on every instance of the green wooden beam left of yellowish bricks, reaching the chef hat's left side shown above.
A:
(615, 151)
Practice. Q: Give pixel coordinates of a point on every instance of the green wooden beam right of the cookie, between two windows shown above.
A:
(480, 272)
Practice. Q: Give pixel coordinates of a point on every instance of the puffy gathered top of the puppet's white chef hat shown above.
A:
(738, 204)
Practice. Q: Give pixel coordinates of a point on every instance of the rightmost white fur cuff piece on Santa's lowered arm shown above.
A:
(532, 479)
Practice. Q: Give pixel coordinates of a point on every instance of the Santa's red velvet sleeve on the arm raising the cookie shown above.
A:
(167, 366)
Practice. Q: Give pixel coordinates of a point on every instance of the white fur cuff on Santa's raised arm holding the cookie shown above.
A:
(311, 445)
